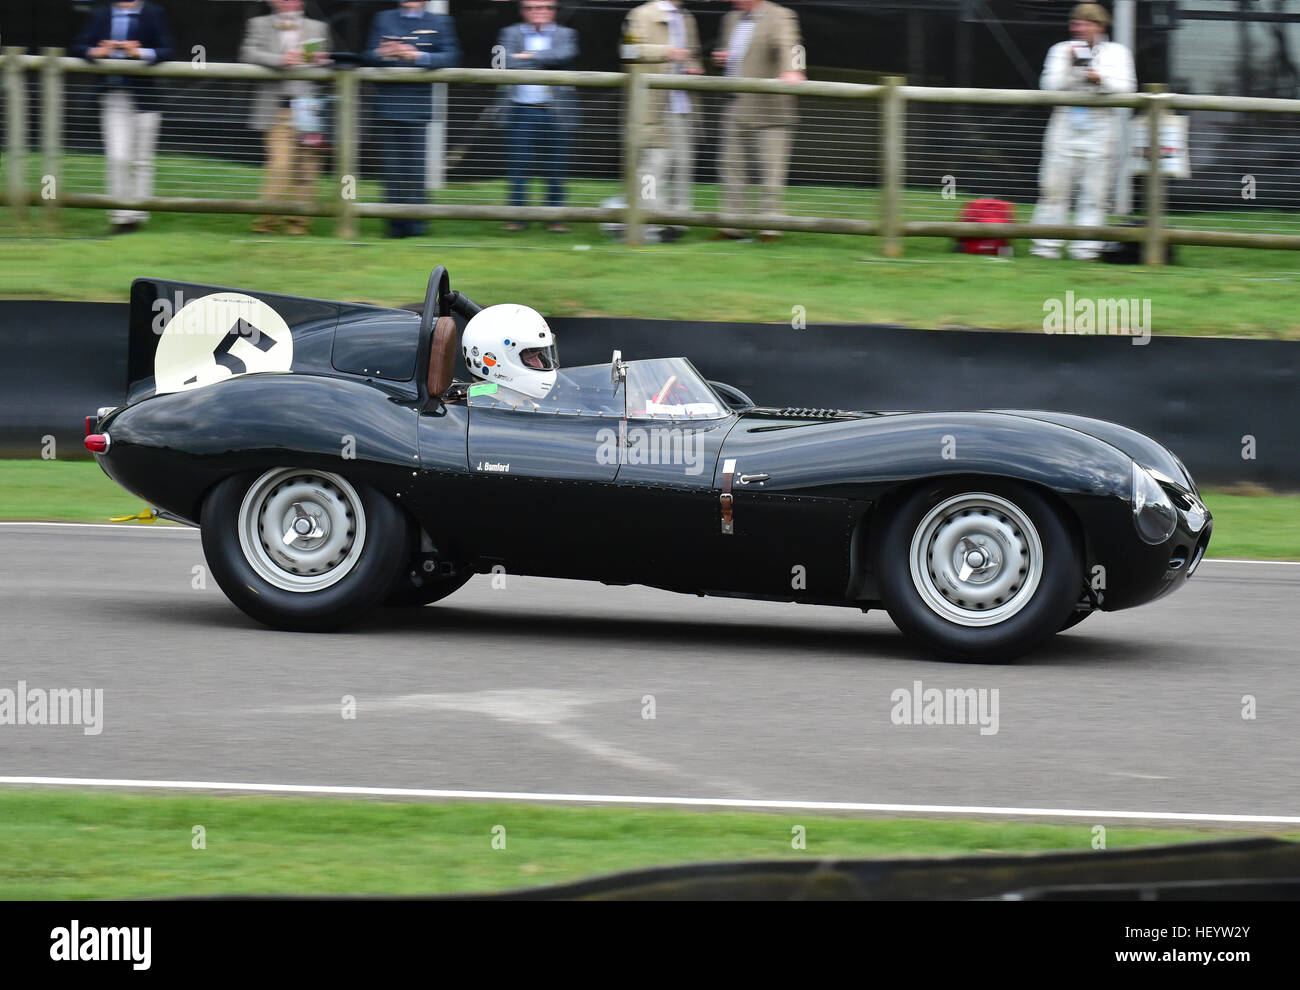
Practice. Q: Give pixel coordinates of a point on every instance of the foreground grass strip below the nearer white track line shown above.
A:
(72, 845)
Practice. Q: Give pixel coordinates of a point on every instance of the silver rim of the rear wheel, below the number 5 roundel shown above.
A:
(302, 531)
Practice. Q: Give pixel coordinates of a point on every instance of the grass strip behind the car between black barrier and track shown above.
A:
(1264, 527)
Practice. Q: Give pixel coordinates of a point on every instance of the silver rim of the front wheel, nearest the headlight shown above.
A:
(977, 559)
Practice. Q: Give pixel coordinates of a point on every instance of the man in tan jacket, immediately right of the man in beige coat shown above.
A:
(759, 40)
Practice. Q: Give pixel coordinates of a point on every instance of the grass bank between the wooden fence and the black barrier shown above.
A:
(835, 279)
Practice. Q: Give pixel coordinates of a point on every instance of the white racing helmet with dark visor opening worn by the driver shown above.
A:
(514, 346)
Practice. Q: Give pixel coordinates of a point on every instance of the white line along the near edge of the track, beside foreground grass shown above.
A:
(632, 800)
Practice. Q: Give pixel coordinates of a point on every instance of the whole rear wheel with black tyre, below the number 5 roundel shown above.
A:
(304, 549)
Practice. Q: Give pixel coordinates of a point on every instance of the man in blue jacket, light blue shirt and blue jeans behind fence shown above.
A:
(540, 118)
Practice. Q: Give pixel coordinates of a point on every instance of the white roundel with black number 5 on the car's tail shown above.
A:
(219, 337)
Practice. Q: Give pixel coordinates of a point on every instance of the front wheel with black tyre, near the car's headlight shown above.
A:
(978, 571)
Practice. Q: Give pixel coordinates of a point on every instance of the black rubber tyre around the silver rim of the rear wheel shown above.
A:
(371, 575)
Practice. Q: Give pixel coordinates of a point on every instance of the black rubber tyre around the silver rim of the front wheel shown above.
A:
(1042, 611)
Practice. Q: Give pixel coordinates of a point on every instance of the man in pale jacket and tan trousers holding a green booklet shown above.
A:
(284, 40)
